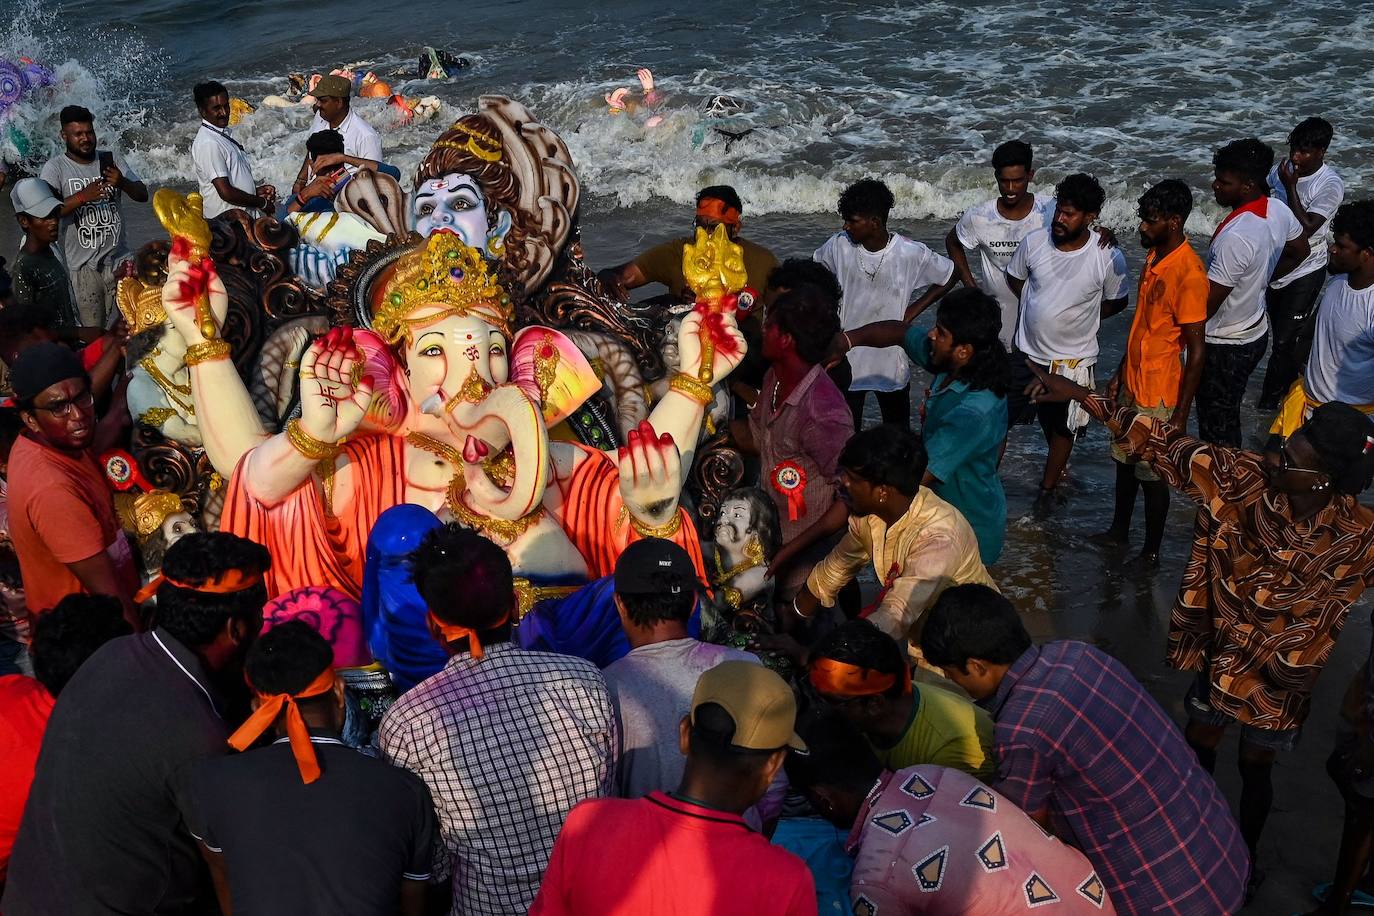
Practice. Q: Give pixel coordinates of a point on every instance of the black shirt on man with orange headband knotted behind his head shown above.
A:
(339, 845)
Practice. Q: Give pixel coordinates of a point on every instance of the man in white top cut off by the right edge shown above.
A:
(1342, 366)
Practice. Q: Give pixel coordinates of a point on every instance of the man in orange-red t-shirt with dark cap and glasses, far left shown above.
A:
(61, 509)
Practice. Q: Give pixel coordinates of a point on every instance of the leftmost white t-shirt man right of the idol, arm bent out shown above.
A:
(880, 273)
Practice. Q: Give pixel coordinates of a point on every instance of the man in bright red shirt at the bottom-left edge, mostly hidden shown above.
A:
(63, 639)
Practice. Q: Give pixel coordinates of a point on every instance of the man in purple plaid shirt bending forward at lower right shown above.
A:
(1085, 751)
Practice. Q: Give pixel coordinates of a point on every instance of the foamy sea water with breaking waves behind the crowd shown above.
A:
(919, 97)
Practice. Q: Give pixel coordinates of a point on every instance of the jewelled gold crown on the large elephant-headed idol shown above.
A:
(444, 274)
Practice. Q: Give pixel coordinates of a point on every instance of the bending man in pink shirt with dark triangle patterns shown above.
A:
(931, 840)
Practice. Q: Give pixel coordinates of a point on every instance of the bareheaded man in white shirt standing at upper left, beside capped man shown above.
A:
(222, 167)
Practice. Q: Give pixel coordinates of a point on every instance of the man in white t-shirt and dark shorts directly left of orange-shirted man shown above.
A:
(1067, 284)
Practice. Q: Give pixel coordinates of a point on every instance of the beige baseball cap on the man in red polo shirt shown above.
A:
(758, 700)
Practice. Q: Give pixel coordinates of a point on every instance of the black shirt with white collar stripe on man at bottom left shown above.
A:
(104, 829)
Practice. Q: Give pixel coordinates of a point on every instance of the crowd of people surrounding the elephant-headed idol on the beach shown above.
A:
(199, 745)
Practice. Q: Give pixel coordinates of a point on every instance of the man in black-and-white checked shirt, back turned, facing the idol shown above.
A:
(508, 741)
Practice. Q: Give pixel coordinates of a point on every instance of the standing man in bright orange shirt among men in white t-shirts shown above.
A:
(1170, 318)
